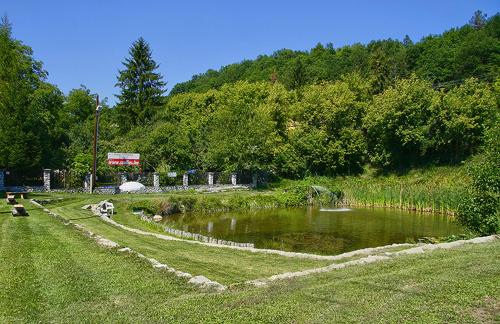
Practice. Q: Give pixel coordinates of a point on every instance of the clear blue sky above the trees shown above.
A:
(84, 42)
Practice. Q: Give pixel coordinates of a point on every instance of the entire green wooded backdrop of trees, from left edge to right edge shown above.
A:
(389, 104)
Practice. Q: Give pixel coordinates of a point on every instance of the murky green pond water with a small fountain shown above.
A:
(315, 231)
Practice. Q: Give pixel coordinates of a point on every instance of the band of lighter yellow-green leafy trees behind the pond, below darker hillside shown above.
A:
(332, 128)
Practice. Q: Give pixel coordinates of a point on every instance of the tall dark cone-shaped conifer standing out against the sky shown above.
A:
(141, 86)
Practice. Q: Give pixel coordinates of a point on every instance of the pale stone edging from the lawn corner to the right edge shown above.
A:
(371, 259)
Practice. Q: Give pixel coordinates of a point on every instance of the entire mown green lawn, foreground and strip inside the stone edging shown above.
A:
(51, 272)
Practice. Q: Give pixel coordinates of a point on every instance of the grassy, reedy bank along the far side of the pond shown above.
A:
(435, 189)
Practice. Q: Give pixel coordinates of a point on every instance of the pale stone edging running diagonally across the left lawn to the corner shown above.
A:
(199, 281)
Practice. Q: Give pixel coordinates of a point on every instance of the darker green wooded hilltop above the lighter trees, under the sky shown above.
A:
(444, 60)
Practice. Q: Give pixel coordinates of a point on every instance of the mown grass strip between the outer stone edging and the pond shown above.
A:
(223, 265)
